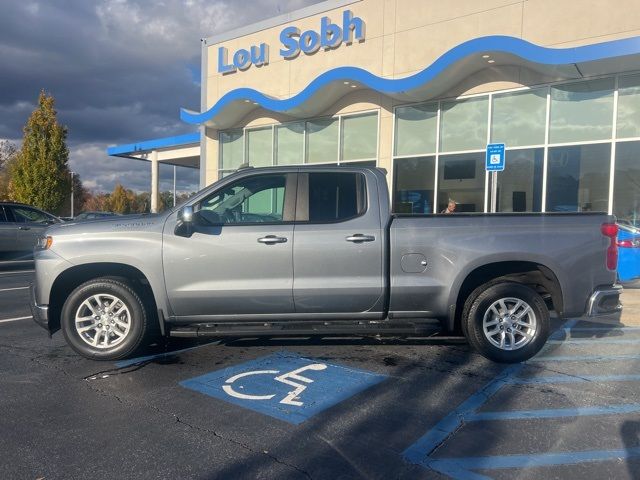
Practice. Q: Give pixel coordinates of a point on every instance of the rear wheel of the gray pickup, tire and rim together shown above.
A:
(493, 310)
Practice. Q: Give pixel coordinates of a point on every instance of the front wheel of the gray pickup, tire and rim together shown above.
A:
(111, 331)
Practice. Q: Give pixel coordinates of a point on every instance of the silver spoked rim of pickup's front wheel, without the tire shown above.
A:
(103, 321)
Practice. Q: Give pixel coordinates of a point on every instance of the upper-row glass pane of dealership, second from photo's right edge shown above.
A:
(581, 111)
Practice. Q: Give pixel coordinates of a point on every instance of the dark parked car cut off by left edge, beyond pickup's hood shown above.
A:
(20, 227)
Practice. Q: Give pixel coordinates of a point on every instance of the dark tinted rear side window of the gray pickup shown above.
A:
(334, 197)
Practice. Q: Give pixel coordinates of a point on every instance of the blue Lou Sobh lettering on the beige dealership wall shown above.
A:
(293, 42)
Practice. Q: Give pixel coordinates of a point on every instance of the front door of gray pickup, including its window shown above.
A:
(238, 259)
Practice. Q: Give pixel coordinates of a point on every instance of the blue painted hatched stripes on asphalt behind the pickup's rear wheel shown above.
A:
(461, 468)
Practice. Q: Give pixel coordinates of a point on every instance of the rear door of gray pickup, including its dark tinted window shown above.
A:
(338, 244)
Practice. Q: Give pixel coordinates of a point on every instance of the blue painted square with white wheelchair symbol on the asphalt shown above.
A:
(284, 385)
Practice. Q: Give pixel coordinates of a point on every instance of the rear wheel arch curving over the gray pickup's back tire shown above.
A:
(534, 274)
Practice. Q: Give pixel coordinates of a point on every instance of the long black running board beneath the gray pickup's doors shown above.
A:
(375, 327)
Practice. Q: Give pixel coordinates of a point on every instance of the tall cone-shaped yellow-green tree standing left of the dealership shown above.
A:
(40, 175)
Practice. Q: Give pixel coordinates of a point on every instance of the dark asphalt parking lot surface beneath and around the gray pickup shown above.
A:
(336, 408)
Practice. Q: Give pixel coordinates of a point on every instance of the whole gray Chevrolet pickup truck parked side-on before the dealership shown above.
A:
(316, 250)
